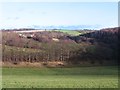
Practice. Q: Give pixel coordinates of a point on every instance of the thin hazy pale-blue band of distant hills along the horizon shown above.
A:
(66, 27)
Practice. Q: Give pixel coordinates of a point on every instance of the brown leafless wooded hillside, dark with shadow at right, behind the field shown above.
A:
(93, 47)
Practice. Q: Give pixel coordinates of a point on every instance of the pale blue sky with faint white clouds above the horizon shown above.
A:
(23, 14)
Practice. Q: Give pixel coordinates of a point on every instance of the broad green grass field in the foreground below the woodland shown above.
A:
(77, 77)
